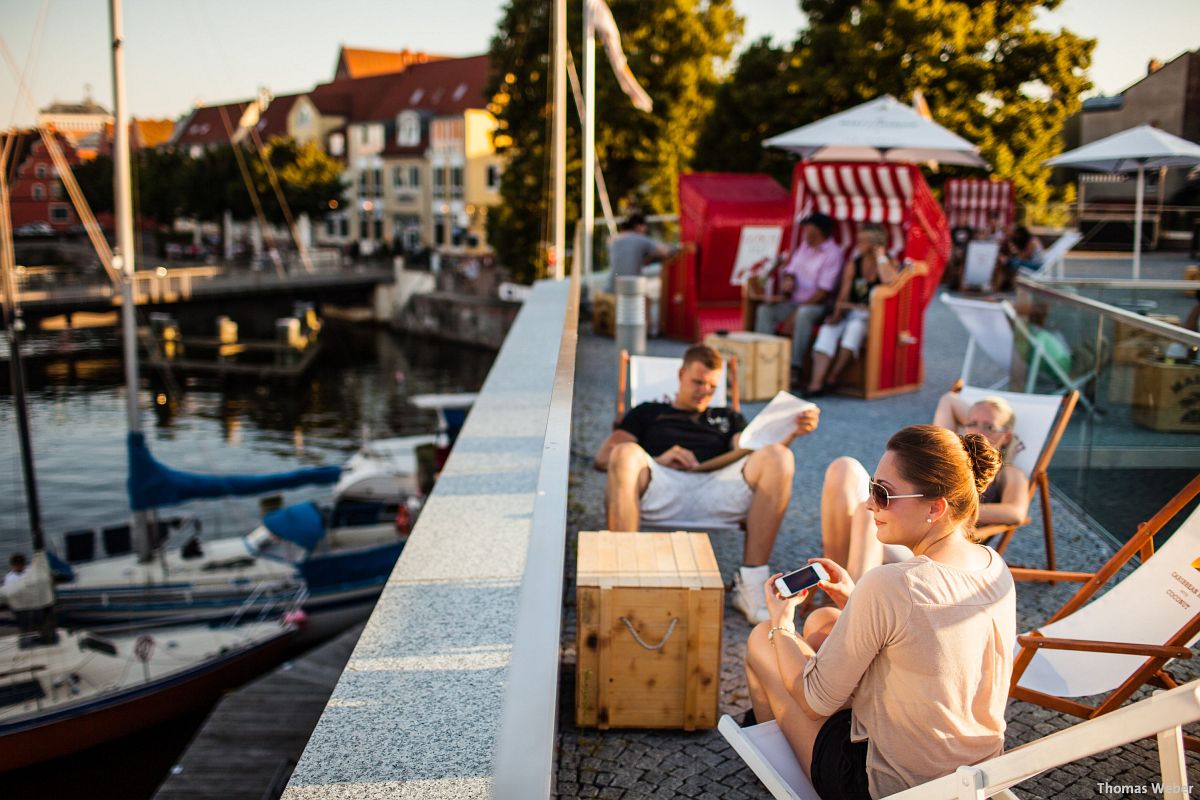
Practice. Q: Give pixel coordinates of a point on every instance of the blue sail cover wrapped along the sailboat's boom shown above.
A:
(153, 485)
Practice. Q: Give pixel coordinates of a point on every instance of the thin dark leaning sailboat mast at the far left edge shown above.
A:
(14, 327)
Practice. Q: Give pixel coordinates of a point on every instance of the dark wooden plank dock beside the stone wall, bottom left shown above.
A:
(250, 744)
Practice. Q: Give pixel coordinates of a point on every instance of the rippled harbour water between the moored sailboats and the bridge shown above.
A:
(358, 389)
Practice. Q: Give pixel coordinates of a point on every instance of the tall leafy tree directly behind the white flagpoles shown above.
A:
(677, 49)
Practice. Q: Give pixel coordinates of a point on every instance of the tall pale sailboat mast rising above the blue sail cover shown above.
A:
(125, 257)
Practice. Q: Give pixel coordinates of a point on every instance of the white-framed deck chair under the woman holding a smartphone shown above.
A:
(766, 751)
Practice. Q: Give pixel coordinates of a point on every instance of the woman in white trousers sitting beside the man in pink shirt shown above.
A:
(841, 338)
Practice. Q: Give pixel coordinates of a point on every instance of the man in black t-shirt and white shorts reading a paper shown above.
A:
(652, 461)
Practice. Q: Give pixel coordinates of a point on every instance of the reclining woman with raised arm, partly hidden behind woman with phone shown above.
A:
(848, 530)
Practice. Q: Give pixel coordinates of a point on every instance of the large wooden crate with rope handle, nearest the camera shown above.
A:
(667, 590)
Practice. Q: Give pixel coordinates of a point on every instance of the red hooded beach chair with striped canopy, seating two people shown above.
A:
(897, 197)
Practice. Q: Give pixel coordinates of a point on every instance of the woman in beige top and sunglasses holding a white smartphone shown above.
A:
(908, 678)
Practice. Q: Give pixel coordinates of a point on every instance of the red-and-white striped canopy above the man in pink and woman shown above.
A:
(895, 196)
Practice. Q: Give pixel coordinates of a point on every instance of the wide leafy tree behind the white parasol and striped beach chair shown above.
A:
(986, 70)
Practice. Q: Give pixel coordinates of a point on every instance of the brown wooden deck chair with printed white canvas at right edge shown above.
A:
(1120, 641)
